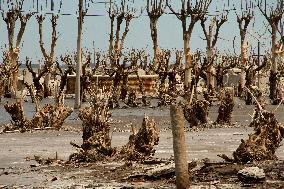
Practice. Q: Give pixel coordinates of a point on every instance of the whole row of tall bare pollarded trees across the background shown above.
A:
(191, 12)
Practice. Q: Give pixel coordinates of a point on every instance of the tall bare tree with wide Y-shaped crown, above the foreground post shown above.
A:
(195, 10)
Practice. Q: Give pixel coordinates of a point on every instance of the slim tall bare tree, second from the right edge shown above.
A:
(244, 19)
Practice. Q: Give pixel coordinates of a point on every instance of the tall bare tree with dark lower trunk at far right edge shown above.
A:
(273, 15)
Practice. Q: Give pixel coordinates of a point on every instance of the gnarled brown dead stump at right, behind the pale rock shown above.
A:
(263, 143)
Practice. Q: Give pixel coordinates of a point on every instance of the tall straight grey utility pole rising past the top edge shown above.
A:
(77, 104)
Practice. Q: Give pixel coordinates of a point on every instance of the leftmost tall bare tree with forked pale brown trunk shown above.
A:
(10, 18)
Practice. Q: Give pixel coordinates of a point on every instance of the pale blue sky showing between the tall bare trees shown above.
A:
(96, 30)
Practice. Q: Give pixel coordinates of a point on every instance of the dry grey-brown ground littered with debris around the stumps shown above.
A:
(18, 170)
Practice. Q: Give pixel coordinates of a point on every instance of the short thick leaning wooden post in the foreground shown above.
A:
(179, 146)
